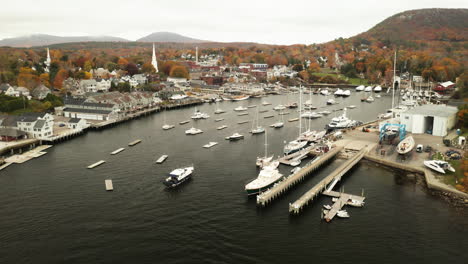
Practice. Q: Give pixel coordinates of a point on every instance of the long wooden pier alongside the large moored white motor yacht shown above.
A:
(278, 189)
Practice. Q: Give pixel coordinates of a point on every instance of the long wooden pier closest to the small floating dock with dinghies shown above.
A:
(333, 178)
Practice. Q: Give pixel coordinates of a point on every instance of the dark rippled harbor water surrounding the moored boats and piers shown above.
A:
(55, 210)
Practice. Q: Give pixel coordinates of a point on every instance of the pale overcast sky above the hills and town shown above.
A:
(275, 22)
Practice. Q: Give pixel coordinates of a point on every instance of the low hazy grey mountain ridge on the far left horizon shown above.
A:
(44, 40)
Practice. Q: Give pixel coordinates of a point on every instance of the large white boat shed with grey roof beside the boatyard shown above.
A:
(432, 119)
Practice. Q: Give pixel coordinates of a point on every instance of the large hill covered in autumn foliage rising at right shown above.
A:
(435, 24)
